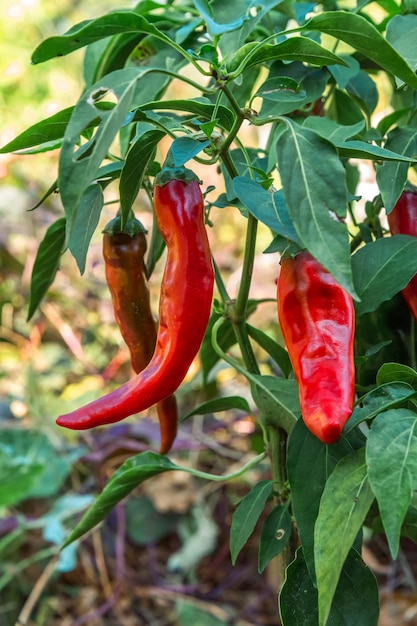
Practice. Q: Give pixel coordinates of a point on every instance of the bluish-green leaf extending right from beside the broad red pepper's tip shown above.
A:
(385, 396)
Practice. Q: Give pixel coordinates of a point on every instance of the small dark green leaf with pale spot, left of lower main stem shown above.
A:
(276, 533)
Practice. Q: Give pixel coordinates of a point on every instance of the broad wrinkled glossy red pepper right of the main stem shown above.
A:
(317, 322)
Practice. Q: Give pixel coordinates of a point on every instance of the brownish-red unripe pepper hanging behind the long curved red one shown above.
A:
(123, 253)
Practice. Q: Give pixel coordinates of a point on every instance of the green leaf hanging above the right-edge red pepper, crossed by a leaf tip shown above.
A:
(392, 176)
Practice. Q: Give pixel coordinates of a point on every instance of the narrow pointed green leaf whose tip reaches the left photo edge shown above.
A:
(50, 129)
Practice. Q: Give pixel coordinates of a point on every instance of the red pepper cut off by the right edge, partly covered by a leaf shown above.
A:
(403, 221)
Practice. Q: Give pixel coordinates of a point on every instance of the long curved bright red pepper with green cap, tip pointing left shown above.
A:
(184, 309)
